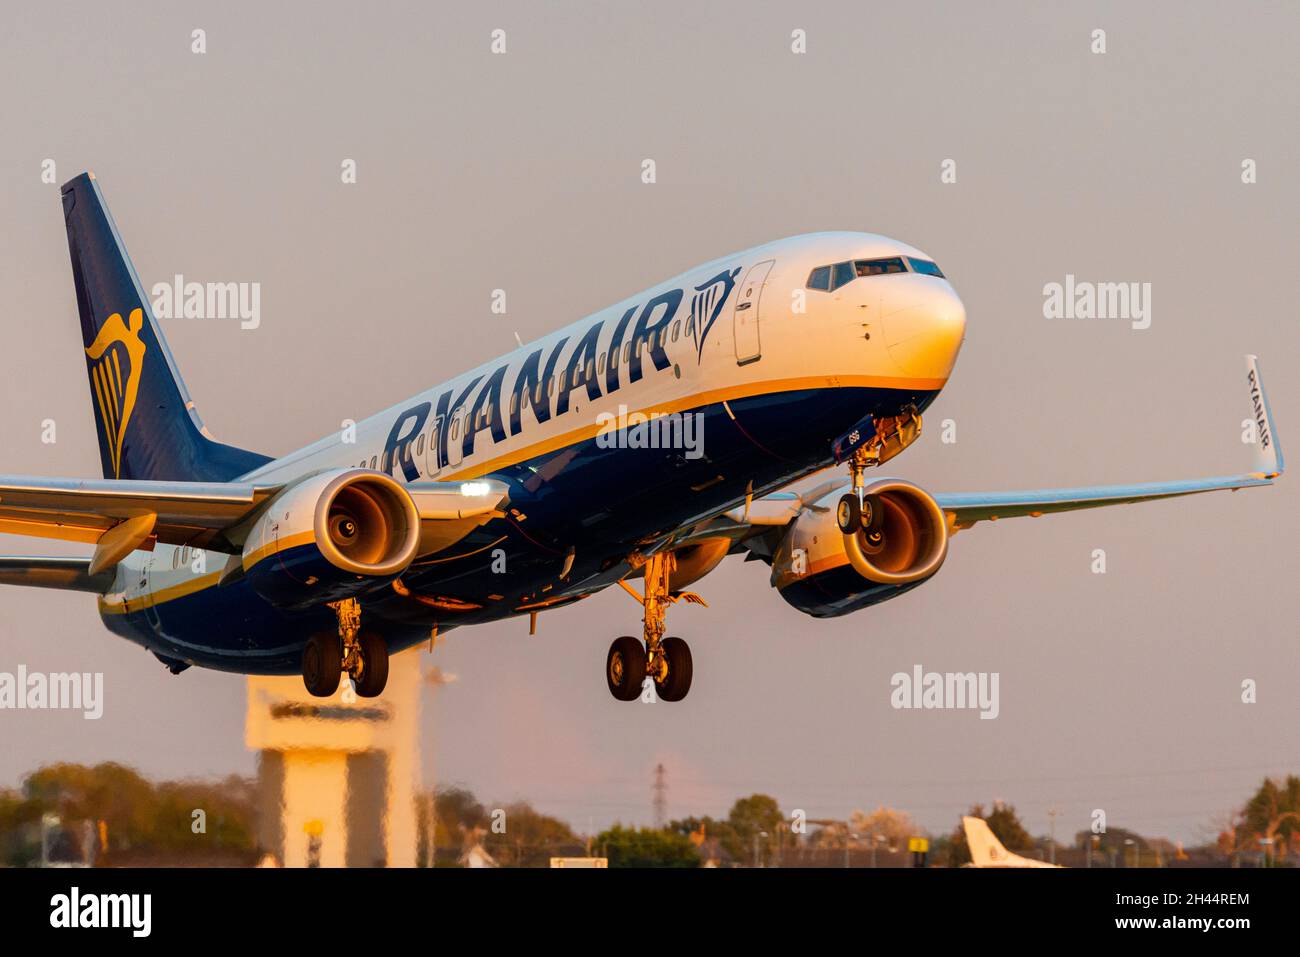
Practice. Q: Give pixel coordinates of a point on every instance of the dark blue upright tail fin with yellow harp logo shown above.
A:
(148, 425)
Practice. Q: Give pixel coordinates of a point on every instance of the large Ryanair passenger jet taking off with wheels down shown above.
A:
(526, 484)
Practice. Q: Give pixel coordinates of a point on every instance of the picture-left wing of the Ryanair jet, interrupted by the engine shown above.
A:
(122, 517)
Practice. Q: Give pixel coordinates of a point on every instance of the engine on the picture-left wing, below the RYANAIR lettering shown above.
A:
(332, 536)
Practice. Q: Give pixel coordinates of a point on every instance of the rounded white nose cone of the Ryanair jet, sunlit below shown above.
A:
(924, 327)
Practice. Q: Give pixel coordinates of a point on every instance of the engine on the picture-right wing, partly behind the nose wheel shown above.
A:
(824, 573)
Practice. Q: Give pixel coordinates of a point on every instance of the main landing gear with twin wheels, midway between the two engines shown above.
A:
(668, 661)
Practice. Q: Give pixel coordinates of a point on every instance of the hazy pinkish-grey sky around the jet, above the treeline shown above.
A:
(523, 172)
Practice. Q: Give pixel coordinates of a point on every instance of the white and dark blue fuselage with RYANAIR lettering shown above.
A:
(774, 353)
